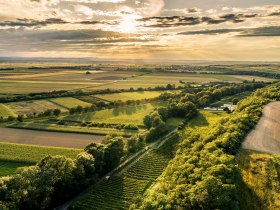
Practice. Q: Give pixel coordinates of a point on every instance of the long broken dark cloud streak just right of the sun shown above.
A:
(175, 21)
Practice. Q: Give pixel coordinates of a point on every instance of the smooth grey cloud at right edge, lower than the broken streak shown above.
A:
(244, 32)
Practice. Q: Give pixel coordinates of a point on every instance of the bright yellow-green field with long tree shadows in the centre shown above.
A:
(122, 115)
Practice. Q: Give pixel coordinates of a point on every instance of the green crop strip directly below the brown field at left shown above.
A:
(32, 154)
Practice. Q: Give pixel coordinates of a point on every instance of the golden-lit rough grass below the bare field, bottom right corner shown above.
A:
(259, 180)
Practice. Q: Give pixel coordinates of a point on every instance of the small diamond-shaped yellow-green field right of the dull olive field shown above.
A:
(69, 102)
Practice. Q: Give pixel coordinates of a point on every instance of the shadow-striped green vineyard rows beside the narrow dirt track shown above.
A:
(122, 189)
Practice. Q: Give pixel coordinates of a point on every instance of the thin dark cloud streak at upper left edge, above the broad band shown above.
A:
(32, 23)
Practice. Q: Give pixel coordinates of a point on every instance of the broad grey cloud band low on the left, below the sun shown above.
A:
(44, 40)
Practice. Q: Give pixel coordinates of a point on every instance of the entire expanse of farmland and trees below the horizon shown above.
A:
(125, 136)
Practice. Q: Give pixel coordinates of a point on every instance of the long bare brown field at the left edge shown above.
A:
(45, 138)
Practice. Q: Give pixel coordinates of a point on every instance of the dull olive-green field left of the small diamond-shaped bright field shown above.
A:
(30, 107)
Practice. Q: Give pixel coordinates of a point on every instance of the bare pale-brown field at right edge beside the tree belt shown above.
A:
(266, 136)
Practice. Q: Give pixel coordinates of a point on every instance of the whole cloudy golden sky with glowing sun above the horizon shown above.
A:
(221, 30)
